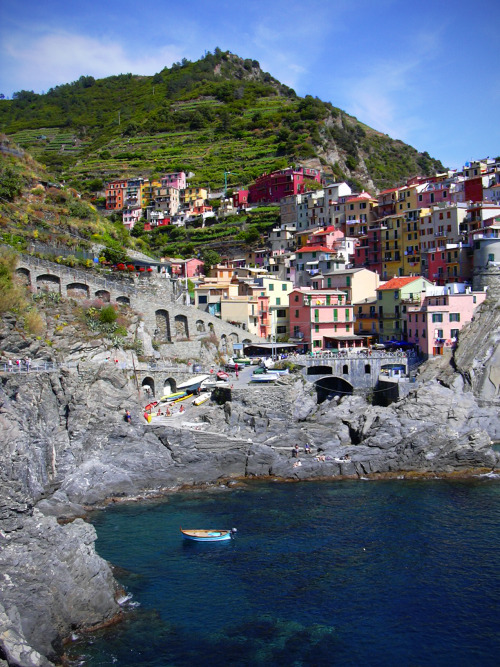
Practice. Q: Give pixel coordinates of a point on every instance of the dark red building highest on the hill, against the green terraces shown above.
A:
(271, 188)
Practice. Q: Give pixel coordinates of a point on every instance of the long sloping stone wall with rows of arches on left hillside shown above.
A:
(151, 295)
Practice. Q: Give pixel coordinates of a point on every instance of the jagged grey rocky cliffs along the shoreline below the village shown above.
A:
(65, 446)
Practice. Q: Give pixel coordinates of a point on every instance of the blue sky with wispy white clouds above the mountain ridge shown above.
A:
(424, 72)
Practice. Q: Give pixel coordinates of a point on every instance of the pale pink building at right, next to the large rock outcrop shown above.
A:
(435, 324)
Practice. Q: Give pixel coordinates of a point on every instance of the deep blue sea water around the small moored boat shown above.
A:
(382, 573)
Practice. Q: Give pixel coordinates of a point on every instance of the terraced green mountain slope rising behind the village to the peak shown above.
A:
(218, 113)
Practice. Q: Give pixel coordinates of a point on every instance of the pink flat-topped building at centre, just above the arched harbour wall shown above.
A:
(322, 319)
